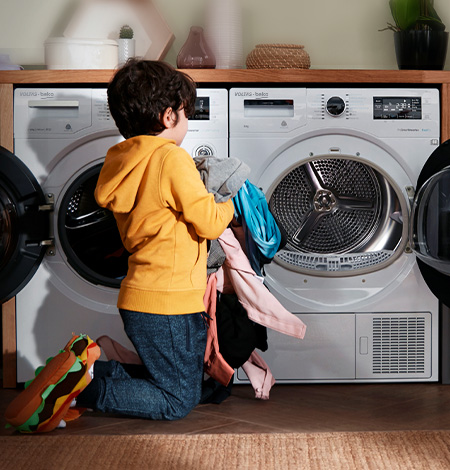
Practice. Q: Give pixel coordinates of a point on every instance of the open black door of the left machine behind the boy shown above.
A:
(24, 225)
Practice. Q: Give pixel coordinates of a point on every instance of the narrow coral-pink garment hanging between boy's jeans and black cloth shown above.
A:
(214, 363)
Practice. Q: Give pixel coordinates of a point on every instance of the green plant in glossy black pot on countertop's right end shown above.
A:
(419, 35)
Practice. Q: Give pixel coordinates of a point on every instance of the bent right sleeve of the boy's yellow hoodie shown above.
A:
(183, 190)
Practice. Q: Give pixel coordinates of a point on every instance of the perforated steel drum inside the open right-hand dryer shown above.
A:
(335, 206)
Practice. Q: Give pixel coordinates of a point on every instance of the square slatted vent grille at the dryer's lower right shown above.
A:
(399, 345)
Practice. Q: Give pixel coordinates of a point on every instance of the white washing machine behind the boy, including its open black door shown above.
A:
(61, 254)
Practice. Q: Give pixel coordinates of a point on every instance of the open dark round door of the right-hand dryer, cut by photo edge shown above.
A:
(430, 222)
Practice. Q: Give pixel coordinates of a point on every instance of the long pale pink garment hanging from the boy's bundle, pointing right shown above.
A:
(262, 307)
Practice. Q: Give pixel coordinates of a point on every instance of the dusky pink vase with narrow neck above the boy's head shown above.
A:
(195, 53)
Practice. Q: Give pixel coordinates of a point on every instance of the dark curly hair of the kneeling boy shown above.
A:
(142, 90)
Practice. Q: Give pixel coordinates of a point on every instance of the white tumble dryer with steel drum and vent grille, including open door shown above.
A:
(360, 188)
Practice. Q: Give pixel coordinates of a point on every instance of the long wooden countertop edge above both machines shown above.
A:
(20, 77)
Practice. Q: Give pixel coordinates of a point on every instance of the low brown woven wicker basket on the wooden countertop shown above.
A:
(278, 56)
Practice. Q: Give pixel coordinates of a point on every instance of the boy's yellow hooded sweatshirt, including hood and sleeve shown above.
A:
(164, 215)
